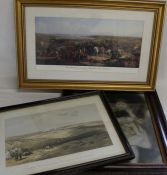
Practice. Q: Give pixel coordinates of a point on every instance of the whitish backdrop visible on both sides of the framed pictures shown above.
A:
(9, 94)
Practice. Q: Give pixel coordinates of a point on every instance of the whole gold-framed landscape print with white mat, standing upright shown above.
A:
(91, 44)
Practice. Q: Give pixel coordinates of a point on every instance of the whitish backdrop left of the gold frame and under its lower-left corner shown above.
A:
(9, 93)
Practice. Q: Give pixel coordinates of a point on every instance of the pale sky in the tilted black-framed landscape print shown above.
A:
(50, 120)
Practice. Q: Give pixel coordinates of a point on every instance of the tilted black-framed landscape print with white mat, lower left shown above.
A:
(59, 135)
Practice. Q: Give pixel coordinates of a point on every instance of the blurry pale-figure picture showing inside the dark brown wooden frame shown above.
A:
(134, 117)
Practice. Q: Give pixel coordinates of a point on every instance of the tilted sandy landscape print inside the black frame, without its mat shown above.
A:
(53, 134)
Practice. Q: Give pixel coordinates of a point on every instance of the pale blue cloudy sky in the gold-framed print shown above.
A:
(83, 26)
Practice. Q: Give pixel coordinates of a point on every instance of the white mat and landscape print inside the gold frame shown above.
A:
(94, 44)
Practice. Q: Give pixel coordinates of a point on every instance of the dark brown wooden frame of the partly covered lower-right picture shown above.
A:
(160, 128)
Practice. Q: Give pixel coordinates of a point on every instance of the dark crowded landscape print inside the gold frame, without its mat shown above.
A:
(88, 42)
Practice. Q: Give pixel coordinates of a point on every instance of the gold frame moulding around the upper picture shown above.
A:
(158, 7)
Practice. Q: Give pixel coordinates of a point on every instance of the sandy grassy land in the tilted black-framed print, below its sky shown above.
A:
(58, 142)
